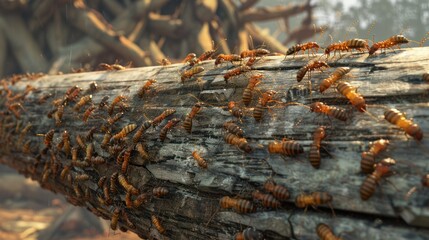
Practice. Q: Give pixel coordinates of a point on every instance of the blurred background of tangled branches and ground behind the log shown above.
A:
(62, 36)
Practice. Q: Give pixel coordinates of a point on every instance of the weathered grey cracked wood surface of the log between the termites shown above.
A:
(385, 80)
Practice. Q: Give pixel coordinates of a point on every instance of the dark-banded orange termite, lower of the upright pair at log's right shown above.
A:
(368, 186)
